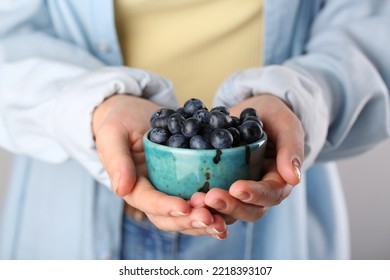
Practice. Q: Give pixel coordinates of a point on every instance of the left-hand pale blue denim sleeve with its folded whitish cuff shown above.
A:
(50, 87)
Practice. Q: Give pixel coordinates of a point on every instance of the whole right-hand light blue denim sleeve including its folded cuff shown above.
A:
(338, 86)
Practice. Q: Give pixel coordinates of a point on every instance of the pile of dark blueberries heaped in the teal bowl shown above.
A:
(193, 126)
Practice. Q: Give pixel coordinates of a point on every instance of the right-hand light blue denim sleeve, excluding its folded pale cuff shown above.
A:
(347, 57)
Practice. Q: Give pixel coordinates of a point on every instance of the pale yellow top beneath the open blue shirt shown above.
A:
(194, 43)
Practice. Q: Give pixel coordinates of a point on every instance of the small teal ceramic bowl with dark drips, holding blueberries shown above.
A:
(182, 172)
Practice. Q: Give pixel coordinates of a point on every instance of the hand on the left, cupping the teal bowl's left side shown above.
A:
(119, 124)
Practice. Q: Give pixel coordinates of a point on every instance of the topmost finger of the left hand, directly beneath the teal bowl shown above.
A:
(152, 202)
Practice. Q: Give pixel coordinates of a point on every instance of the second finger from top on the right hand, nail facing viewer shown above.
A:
(224, 203)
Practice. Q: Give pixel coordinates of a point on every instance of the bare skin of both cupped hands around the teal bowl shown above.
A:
(119, 124)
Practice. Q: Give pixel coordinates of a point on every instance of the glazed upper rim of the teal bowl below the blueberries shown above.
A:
(160, 147)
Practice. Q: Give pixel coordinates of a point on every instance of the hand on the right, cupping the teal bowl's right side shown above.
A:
(250, 200)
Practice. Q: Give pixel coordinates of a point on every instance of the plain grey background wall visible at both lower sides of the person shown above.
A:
(366, 181)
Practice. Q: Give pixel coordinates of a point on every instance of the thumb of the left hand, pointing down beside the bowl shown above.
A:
(113, 148)
